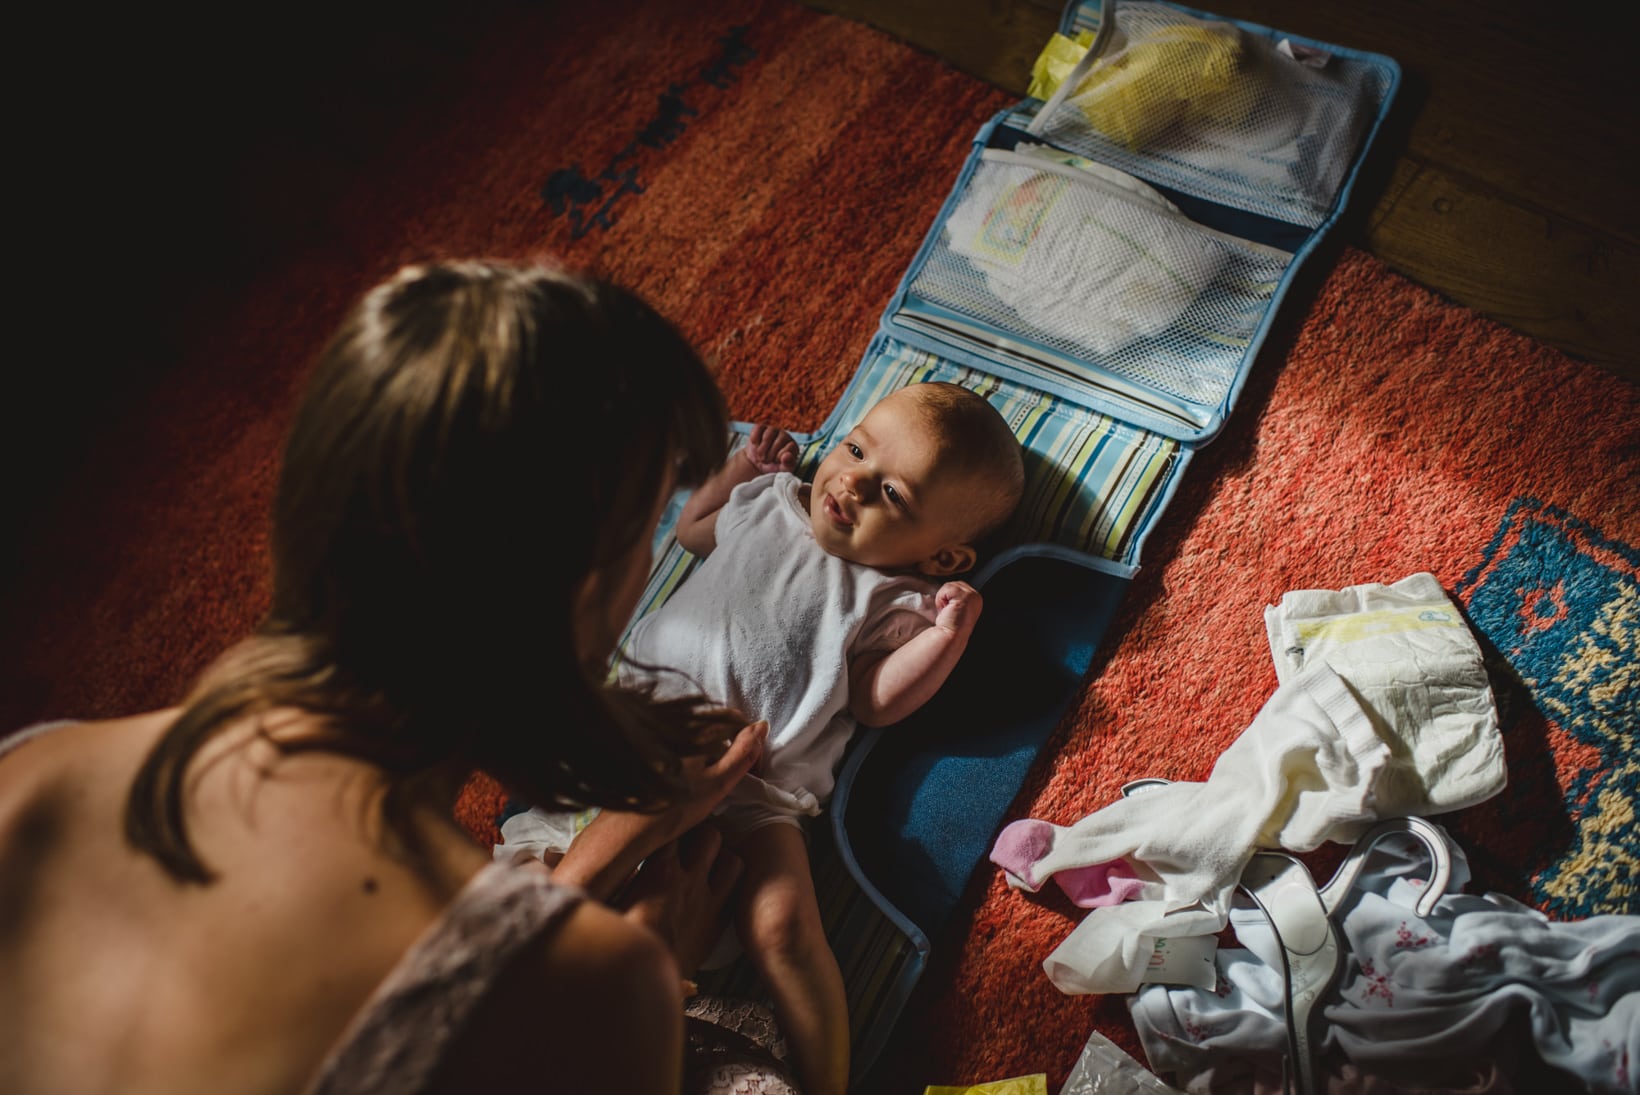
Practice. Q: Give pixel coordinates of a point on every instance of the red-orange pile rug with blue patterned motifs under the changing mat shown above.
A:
(765, 179)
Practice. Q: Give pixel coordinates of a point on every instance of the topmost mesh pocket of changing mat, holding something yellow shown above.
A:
(1219, 112)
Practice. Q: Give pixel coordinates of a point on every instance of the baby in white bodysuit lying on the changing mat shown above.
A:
(821, 607)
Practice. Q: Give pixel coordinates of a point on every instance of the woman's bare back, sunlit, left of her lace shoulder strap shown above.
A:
(117, 976)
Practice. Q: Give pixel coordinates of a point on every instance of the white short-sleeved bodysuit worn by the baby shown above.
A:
(768, 624)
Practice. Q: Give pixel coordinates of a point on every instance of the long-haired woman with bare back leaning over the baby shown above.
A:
(263, 889)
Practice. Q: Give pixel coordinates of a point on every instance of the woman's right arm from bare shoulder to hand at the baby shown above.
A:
(598, 1006)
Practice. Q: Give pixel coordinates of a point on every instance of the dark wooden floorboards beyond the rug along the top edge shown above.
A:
(1505, 178)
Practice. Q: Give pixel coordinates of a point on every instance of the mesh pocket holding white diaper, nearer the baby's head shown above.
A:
(1101, 279)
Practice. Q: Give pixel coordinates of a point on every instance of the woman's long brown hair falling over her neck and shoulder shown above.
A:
(476, 440)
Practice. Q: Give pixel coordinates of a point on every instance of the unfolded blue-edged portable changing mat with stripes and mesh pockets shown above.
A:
(1105, 271)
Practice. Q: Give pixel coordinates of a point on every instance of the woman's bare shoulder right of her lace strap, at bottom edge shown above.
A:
(594, 1006)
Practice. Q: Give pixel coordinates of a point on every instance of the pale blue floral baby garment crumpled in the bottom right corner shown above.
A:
(1416, 994)
